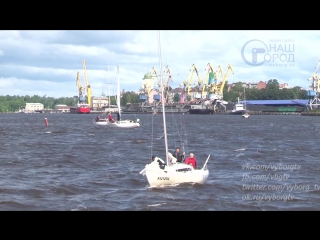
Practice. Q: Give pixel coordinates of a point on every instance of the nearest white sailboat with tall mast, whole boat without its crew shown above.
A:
(172, 174)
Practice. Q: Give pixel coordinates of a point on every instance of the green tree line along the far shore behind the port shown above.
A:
(271, 92)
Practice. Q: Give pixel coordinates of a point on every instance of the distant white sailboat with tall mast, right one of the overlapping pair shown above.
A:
(120, 123)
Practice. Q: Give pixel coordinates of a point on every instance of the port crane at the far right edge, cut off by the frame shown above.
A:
(313, 94)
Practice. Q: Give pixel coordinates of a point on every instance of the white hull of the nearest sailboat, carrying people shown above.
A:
(174, 175)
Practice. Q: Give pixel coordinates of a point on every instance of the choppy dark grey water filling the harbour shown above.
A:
(263, 163)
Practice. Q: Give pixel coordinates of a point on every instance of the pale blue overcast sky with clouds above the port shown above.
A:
(46, 62)
